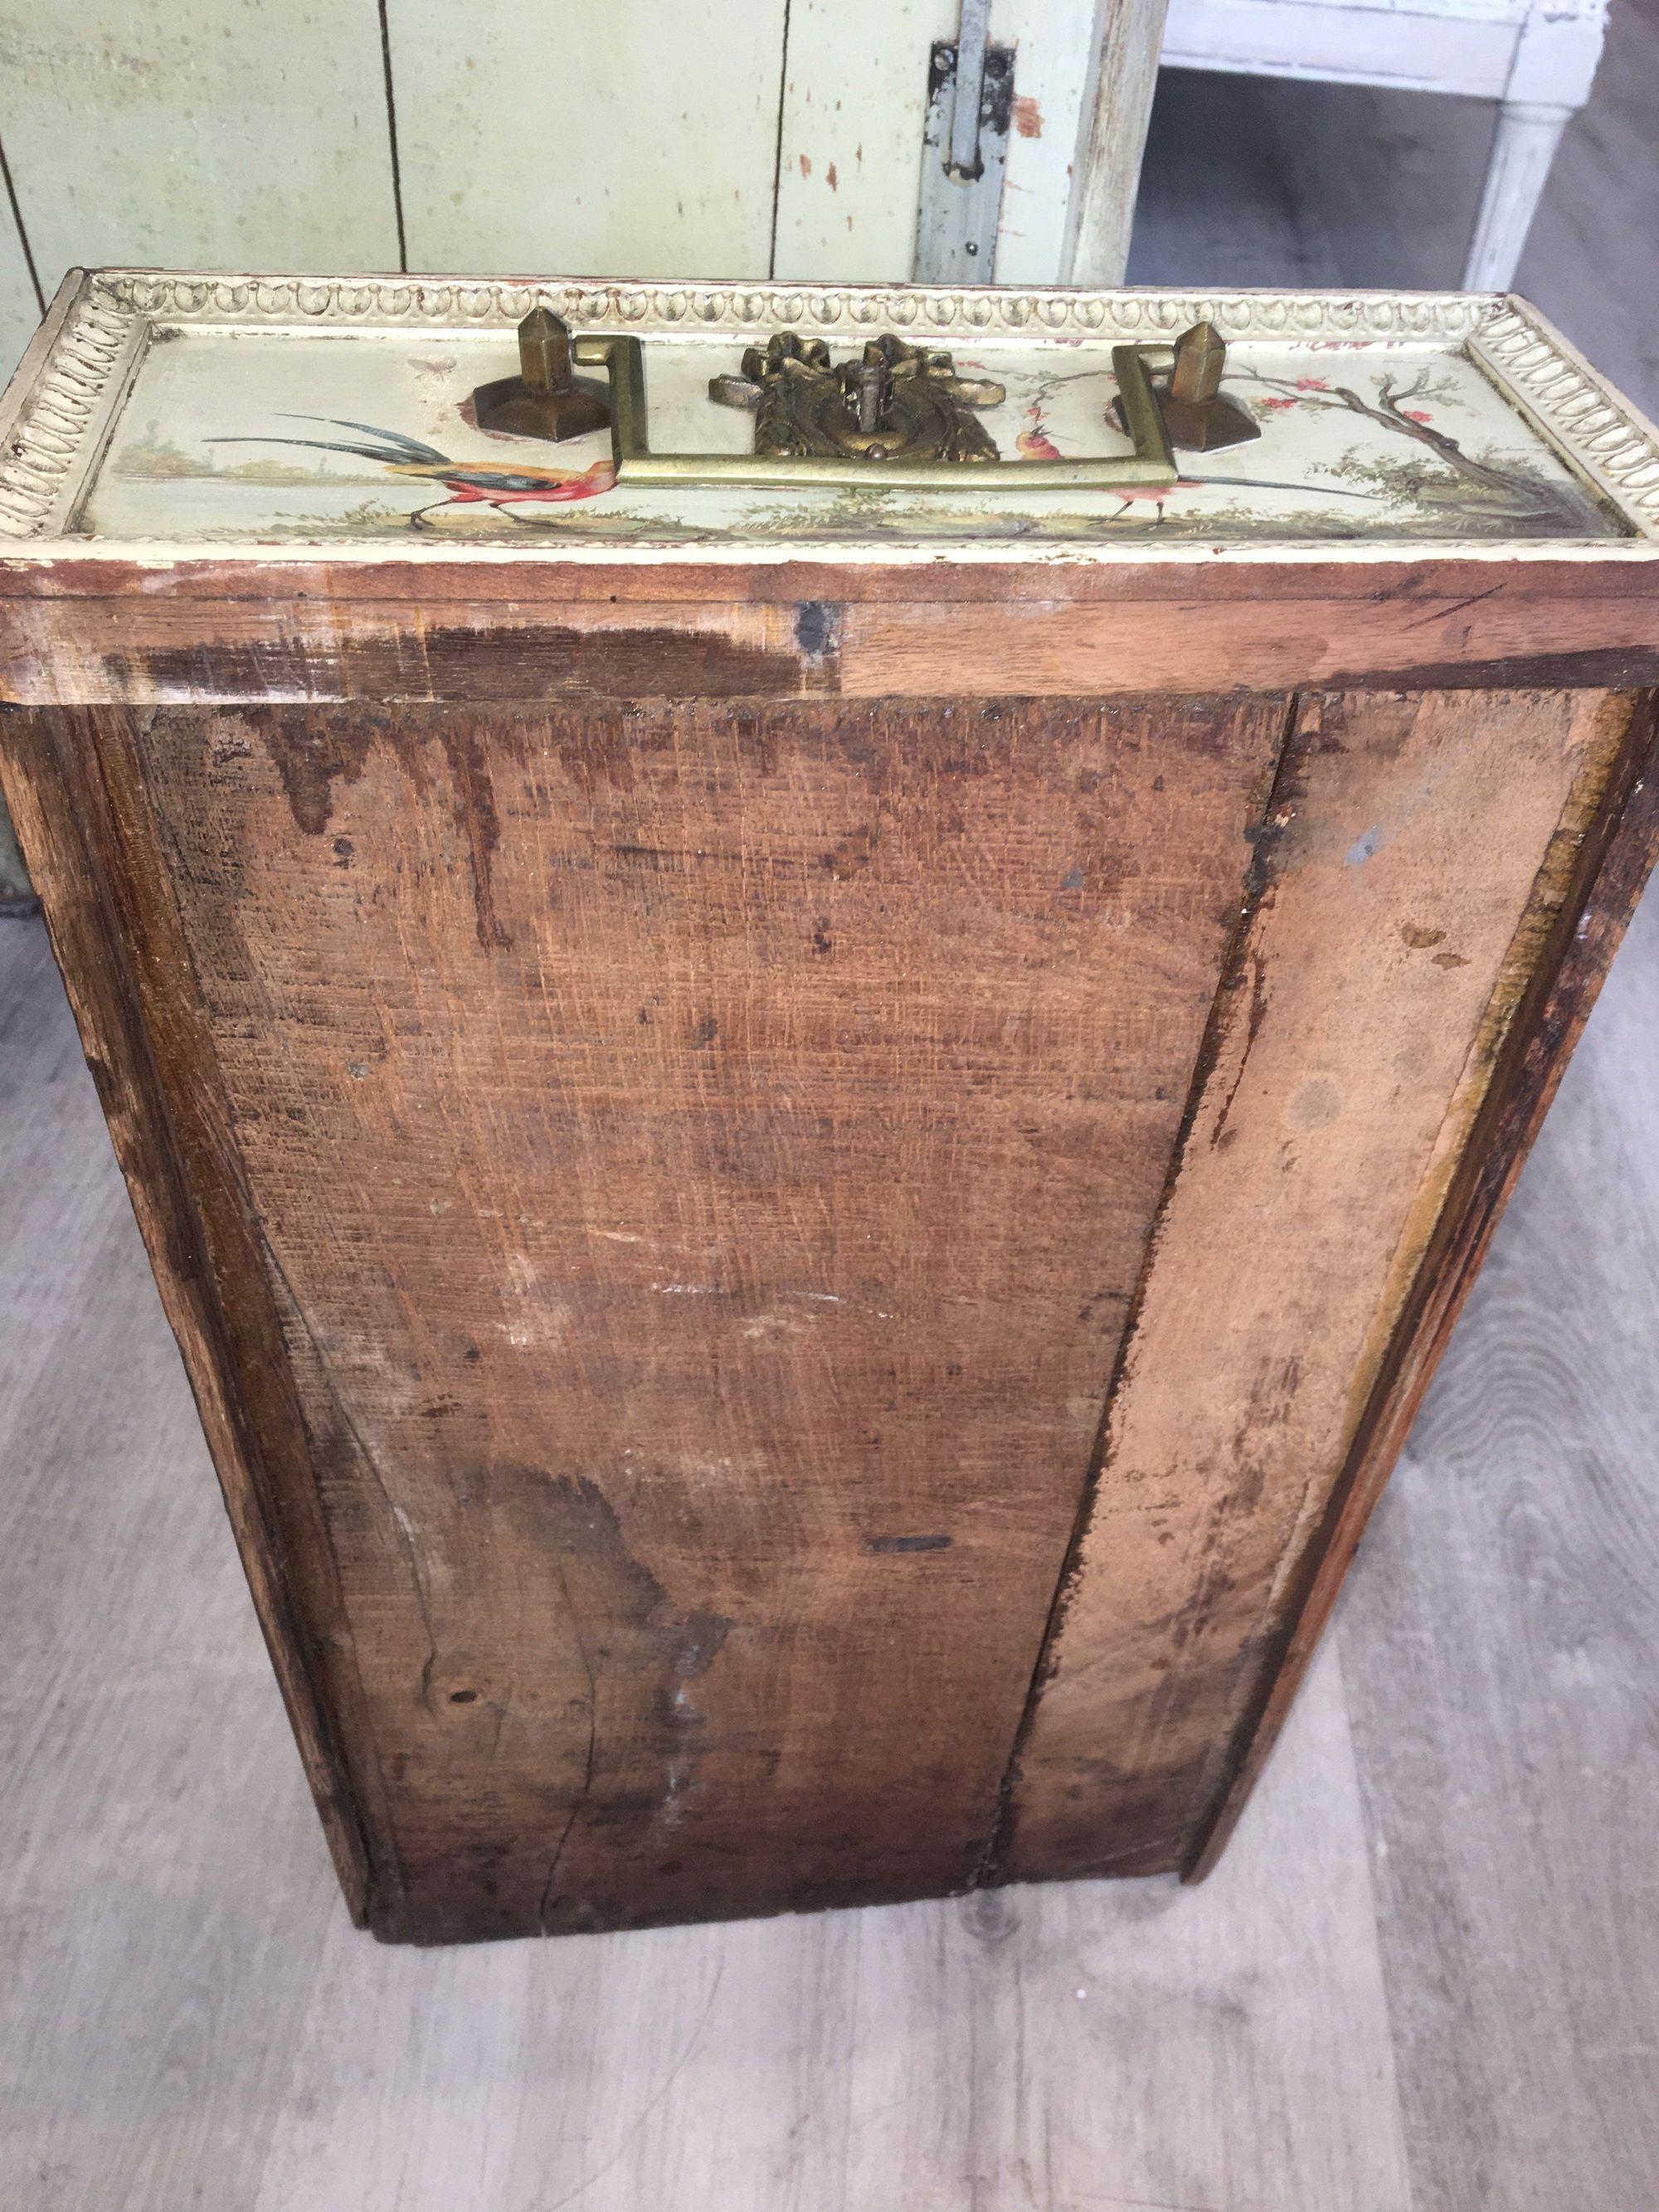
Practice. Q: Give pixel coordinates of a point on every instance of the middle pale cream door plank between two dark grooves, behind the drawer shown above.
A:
(592, 138)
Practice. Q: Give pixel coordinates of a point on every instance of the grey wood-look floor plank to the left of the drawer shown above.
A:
(149, 1981)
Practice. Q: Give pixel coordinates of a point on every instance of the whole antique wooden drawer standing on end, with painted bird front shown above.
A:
(811, 1072)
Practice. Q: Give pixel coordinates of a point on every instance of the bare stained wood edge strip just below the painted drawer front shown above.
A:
(441, 634)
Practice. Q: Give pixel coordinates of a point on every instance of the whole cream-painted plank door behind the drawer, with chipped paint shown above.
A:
(649, 138)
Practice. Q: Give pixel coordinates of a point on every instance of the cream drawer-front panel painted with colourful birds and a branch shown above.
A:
(315, 437)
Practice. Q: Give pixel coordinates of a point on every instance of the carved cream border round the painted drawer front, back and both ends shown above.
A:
(1607, 439)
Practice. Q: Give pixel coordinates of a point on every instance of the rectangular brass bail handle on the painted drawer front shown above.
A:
(1149, 468)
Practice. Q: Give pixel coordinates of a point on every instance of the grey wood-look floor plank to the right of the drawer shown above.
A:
(1507, 1645)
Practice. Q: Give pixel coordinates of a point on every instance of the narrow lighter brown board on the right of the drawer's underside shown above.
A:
(1419, 862)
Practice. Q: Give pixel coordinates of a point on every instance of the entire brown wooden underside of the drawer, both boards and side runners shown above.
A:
(674, 1185)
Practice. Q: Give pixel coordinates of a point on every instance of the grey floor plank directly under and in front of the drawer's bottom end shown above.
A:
(1076, 2045)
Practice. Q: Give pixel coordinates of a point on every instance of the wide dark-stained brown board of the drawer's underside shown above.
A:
(705, 1158)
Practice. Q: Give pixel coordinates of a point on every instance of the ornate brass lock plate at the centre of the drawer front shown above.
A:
(893, 404)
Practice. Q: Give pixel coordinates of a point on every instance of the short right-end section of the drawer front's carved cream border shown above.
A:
(1569, 404)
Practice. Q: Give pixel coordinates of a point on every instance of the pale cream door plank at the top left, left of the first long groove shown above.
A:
(202, 136)
